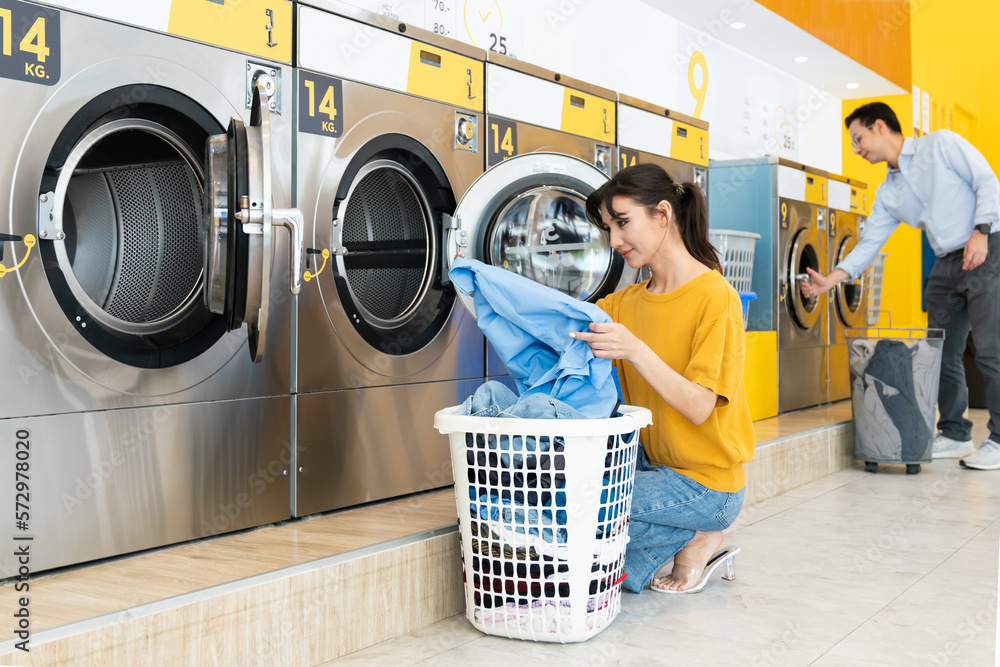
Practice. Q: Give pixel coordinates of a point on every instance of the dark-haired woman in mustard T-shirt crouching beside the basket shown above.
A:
(678, 343)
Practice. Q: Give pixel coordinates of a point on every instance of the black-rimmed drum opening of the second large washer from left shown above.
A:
(386, 245)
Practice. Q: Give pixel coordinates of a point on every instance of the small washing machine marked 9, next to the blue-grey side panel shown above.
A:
(802, 321)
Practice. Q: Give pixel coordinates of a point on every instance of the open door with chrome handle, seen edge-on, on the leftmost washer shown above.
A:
(238, 223)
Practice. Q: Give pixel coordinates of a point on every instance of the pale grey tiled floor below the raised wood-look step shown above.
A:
(854, 569)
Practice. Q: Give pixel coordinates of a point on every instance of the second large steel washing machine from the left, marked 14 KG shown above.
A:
(388, 139)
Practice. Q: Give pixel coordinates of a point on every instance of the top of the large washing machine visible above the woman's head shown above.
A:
(650, 133)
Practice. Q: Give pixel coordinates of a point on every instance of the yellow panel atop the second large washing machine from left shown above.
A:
(444, 76)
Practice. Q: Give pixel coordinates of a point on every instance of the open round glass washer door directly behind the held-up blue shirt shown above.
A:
(528, 215)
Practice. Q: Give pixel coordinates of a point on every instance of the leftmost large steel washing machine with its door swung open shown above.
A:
(145, 314)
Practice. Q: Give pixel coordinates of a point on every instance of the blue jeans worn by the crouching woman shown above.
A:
(667, 510)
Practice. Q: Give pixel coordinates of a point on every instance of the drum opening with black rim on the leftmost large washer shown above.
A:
(120, 224)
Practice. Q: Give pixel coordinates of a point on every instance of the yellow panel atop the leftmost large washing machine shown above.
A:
(260, 27)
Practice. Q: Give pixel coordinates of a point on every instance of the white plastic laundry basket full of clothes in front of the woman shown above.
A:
(543, 507)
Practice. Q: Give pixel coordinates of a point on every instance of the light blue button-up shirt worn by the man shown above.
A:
(943, 185)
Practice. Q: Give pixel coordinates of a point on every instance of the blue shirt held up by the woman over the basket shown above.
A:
(529, 326)
